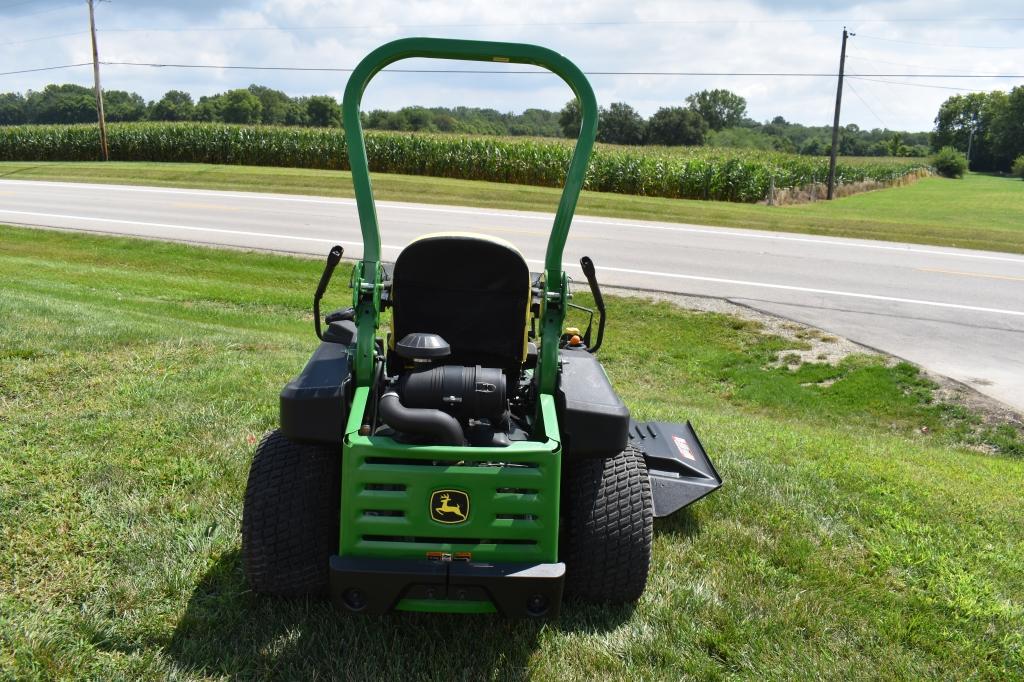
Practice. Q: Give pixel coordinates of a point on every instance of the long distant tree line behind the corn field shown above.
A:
(711, 117)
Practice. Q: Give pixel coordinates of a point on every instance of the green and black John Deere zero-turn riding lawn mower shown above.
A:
(478, 459)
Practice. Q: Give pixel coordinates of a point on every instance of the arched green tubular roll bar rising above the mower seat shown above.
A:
(368, 272)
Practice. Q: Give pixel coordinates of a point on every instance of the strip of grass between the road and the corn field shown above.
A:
(978, 212)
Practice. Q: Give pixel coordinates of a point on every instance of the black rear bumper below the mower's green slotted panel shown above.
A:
(379, 586)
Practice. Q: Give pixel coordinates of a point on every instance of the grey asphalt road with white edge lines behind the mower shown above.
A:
(955, 312)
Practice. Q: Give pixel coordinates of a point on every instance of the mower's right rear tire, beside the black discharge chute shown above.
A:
(610, 521)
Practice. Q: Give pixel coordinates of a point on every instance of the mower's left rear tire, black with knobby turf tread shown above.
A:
(290, 518)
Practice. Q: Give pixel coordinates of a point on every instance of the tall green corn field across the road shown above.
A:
(709, 174)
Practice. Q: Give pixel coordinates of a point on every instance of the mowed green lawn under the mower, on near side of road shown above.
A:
(136, 377)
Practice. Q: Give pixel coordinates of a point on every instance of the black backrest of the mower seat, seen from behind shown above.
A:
(473, 290)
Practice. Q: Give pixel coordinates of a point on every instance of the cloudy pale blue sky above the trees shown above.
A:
(893, 39)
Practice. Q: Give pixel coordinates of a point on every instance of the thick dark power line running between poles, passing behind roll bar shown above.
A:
(545, 73)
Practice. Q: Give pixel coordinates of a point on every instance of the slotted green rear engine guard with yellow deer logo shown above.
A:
(480, 504)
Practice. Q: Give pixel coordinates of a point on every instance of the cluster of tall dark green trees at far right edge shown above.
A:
(989, 127)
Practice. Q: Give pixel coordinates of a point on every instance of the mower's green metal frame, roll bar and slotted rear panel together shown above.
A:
(516, 505)
